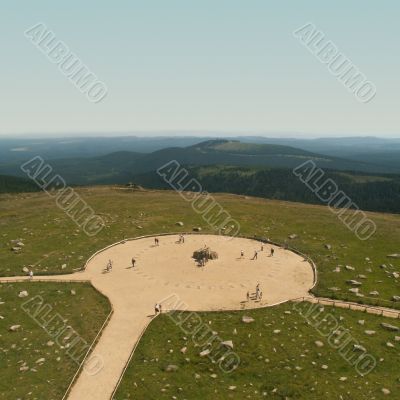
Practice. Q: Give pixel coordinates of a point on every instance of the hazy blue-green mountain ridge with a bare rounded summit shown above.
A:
(122, 166)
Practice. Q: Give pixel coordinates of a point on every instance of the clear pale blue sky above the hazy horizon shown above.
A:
(212, 66)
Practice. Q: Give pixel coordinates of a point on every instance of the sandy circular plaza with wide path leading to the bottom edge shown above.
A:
(168, 269)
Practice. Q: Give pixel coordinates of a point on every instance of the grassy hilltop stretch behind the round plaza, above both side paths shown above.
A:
(54, 244)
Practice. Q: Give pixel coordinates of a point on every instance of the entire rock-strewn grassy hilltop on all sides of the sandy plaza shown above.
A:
(285, 365)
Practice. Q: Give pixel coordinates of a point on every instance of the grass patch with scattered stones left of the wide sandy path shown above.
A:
(34, 365)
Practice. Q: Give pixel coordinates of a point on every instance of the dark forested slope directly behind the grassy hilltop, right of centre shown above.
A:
(370, 192)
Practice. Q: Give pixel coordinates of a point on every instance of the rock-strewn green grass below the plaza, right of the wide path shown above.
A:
(279, 359)
